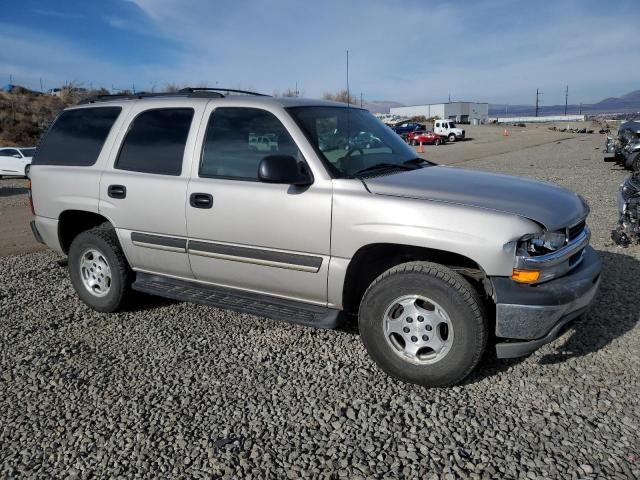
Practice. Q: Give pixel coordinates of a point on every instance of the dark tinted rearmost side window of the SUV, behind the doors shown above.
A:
(76, 137)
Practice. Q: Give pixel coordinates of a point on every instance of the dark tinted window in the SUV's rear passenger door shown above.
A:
(155, 141)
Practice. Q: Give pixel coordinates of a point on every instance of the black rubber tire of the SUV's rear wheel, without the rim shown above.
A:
(104, 240)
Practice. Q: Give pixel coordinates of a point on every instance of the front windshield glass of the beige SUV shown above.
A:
(351, 139)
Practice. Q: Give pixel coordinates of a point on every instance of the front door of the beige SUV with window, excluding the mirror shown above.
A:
(266, 238)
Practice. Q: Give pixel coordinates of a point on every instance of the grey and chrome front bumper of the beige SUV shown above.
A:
(529, 316)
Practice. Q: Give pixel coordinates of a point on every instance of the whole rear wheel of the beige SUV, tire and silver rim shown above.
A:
(99, 270)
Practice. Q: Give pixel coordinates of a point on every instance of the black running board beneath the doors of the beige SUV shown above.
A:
(245, 302)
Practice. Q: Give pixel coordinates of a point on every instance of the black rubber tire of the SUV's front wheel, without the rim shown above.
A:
(457, 298)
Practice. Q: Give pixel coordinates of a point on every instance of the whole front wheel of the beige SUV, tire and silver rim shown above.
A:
(423, 323)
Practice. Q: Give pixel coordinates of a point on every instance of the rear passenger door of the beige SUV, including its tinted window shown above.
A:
(143, 189)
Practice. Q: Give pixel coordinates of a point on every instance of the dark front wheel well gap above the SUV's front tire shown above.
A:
(372, 260)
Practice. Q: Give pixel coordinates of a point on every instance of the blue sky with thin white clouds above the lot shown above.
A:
(409, 51)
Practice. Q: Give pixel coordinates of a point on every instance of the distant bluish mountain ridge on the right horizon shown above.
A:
(629, 103)
